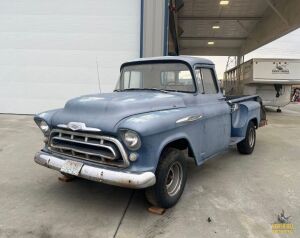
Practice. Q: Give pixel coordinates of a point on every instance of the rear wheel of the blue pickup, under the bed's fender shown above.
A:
(246, 146)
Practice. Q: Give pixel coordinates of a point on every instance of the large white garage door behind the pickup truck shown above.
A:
(49, 49)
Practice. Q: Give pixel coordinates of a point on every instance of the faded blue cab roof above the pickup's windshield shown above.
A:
(186, 59)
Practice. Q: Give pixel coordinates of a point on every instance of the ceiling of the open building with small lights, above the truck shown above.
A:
(244, 25)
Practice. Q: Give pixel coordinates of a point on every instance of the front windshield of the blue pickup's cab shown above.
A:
(154, 76)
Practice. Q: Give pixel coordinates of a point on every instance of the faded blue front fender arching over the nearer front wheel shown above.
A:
(157, 129)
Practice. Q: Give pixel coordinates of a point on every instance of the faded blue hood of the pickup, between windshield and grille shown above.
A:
(104, 111)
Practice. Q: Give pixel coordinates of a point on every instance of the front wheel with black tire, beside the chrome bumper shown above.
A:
(171, 174)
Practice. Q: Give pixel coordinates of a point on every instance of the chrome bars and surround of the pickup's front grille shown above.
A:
(101, 138)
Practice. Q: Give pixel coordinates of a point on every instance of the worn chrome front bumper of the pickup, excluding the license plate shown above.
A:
(122, 179)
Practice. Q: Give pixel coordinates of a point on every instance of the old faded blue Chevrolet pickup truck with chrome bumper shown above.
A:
(163, 110)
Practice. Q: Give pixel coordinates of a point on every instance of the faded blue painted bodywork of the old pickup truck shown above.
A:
(153, 116)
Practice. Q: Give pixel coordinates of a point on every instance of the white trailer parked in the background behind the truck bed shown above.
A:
(271, 79)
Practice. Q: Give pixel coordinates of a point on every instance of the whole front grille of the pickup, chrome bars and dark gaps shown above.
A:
(100, 149)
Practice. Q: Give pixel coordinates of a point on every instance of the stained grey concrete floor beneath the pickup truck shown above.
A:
(241, 194)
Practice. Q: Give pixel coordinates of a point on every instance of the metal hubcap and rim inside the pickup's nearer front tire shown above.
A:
(174, 179)
